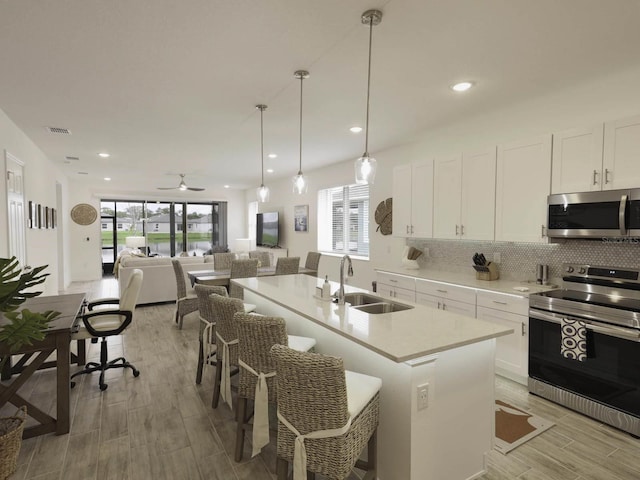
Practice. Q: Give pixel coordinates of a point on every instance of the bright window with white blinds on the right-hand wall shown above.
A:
(343, 220)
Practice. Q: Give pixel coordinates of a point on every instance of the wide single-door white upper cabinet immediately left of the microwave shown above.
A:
(522, 186)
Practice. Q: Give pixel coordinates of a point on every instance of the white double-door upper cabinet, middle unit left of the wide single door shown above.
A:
(464, 196)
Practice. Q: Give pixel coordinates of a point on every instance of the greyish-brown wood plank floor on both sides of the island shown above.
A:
(161, 424)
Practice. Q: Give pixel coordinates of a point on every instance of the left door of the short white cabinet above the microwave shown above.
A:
(577, 160)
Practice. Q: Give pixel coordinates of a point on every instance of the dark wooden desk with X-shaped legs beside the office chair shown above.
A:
(35, 356)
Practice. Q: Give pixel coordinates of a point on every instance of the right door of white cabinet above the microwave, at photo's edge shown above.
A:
(621, 158)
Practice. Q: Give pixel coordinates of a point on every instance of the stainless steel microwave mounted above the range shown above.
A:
(607, 214)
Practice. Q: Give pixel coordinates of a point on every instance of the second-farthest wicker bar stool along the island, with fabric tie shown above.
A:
(227, 341)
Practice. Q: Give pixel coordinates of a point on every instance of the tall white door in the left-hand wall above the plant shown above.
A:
(16, 209)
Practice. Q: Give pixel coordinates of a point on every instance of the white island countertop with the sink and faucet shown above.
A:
(400, 336)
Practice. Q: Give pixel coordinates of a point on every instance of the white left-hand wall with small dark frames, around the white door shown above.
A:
(40, 176)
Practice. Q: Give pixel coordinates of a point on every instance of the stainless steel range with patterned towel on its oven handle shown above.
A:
(584, 344)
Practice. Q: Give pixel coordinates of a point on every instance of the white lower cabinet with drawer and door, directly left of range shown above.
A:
(512, 351)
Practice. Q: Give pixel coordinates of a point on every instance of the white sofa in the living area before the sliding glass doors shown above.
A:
(159, 281)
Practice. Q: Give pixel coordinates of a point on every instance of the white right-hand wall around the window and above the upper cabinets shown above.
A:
(603, 99)
